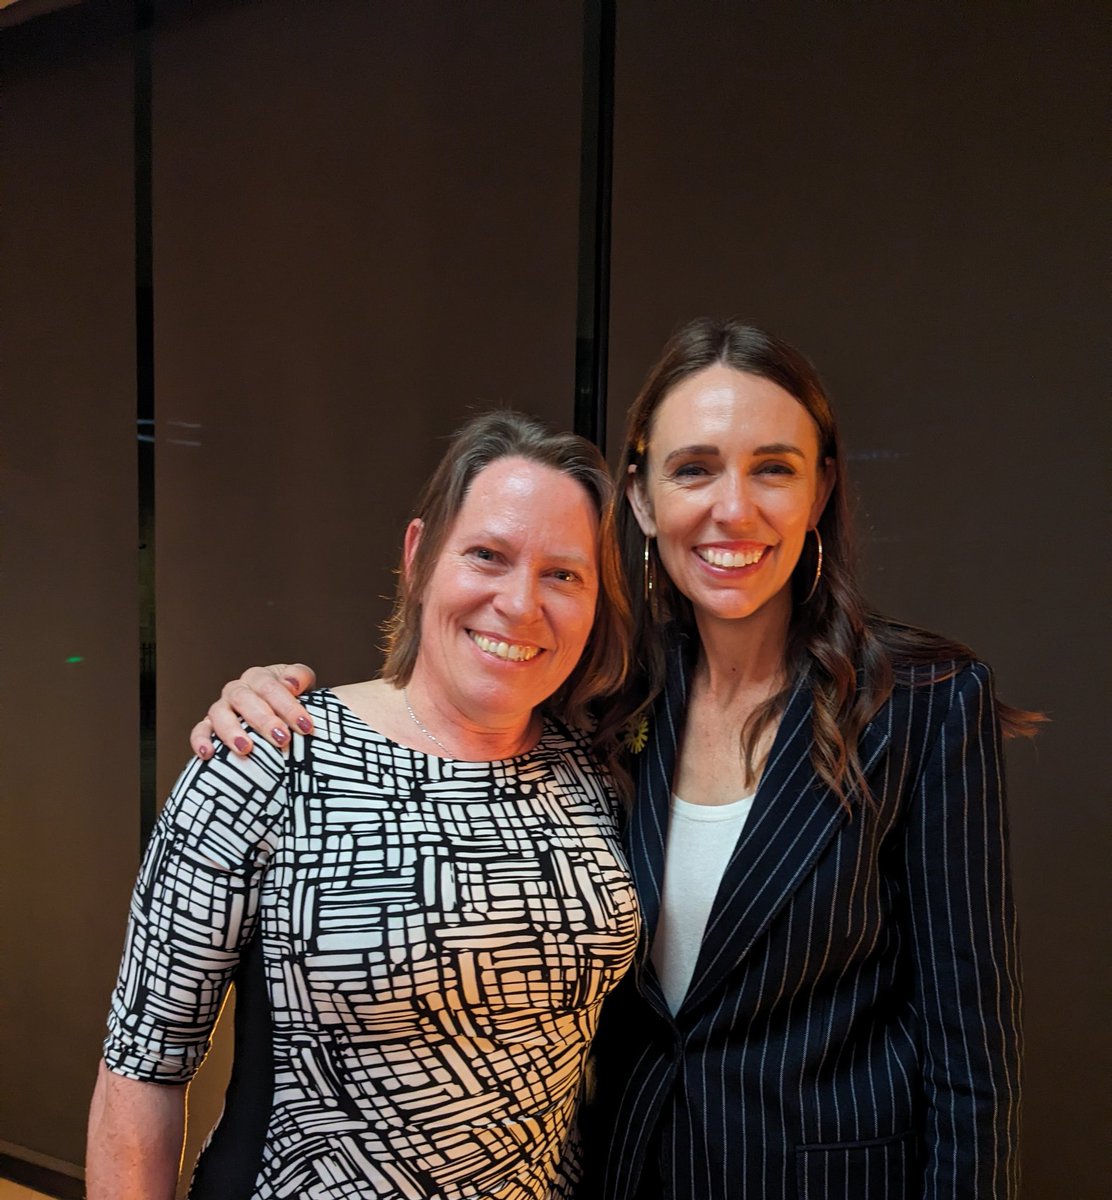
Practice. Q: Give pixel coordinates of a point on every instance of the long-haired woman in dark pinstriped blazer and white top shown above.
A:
(826, 1001)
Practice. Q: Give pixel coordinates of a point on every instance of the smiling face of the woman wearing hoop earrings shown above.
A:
(731, 484)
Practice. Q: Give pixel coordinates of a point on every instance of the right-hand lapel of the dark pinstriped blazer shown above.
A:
(794, 818)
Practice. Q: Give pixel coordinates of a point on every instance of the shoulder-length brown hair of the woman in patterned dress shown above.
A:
(482, 442)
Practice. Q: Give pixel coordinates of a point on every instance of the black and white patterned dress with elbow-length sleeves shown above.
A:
(420, 949)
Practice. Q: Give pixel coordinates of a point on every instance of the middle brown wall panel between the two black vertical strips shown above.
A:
(365, 227)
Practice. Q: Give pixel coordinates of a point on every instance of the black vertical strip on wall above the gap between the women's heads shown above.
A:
(596, 179)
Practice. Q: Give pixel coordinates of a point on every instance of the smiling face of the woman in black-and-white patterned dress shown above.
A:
(510, 603)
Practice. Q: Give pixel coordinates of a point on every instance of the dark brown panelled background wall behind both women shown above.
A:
(364, 223)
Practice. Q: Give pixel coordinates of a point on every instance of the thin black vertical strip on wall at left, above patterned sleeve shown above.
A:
(146, 419)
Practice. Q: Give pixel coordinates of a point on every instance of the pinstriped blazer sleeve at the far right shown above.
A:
(964, 944)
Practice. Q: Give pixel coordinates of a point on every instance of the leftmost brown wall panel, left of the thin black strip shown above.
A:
(70, 832)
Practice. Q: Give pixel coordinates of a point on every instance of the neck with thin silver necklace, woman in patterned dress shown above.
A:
(480, 737)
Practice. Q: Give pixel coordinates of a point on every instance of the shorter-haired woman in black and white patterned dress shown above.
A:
(424, 905)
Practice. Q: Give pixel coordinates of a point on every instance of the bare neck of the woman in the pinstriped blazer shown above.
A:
(746, 655)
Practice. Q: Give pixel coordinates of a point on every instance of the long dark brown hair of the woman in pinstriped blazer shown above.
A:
(851, 656)
